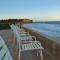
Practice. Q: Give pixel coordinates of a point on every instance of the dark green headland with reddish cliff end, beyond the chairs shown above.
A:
(5, 24)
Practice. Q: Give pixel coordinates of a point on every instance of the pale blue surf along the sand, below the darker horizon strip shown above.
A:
(52, 30)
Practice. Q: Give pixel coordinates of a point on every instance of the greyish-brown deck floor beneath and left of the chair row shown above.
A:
(8, 38)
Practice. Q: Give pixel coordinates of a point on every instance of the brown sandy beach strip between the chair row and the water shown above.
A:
(51, 47)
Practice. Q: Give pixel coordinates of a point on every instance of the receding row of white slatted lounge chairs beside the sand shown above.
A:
(25, 41)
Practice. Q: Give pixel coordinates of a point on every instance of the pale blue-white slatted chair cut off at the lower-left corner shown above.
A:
(4, 51)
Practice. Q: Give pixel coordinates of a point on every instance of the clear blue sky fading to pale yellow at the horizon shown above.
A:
(44, 10)
